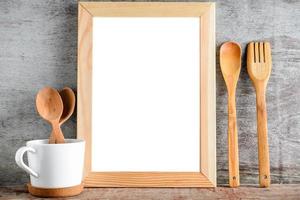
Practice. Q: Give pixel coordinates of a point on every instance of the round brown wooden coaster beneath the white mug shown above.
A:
(55, 192)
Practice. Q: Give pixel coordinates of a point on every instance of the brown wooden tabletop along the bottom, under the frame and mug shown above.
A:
(286, 192)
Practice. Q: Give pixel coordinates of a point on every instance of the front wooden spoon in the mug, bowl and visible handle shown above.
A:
(50, 107)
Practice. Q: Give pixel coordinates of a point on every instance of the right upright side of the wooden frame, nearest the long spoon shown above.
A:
(208, 97)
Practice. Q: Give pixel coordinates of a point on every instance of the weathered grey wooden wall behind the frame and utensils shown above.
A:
(38, 47)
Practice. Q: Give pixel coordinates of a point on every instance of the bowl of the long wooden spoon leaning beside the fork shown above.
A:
(230, 61)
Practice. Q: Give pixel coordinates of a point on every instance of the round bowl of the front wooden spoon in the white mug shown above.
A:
(49, 104)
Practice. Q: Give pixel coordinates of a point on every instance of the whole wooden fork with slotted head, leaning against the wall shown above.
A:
(259, 65)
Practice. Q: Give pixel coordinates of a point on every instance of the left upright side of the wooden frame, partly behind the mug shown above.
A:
(84, 82)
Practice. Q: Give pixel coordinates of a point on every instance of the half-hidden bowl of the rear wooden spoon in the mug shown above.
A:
(68, 98)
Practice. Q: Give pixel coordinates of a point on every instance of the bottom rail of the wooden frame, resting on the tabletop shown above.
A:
(147, 179)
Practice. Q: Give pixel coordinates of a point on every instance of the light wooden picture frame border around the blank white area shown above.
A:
(206, 12)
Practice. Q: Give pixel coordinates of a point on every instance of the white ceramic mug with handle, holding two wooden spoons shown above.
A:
(53, 165)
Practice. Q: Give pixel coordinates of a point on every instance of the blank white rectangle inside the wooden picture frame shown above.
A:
(146, 94)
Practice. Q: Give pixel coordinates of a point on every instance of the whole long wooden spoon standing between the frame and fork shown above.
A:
(230, 61)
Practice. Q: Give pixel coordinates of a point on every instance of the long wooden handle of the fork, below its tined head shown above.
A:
(262, 135)
